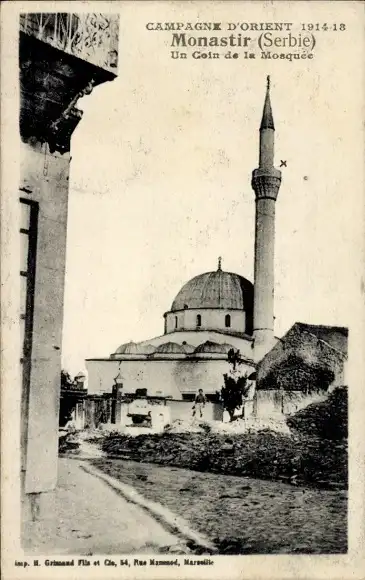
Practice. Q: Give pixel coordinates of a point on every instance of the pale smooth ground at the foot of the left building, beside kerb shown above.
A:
(85, 516)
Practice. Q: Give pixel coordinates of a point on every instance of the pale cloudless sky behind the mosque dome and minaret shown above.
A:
(161, 171)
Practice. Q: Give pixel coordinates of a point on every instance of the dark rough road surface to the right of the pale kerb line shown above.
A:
(243, 515)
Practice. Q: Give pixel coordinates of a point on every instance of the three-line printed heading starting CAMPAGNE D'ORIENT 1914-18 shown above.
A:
(275, 40)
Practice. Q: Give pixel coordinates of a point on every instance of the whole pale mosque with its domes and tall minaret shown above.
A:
(211, 314)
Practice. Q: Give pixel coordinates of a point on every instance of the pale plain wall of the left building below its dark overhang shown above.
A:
(44, 185)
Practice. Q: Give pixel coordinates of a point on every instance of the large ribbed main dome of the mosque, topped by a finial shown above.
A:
(218, 289)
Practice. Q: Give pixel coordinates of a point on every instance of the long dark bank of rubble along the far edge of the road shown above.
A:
(263, 454)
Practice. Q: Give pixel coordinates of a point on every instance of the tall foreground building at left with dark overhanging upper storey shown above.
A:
(61, 58)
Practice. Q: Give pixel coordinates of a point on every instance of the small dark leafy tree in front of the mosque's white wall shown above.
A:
(236, 387)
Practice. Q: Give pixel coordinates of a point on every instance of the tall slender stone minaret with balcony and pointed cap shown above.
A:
(265, 183)
